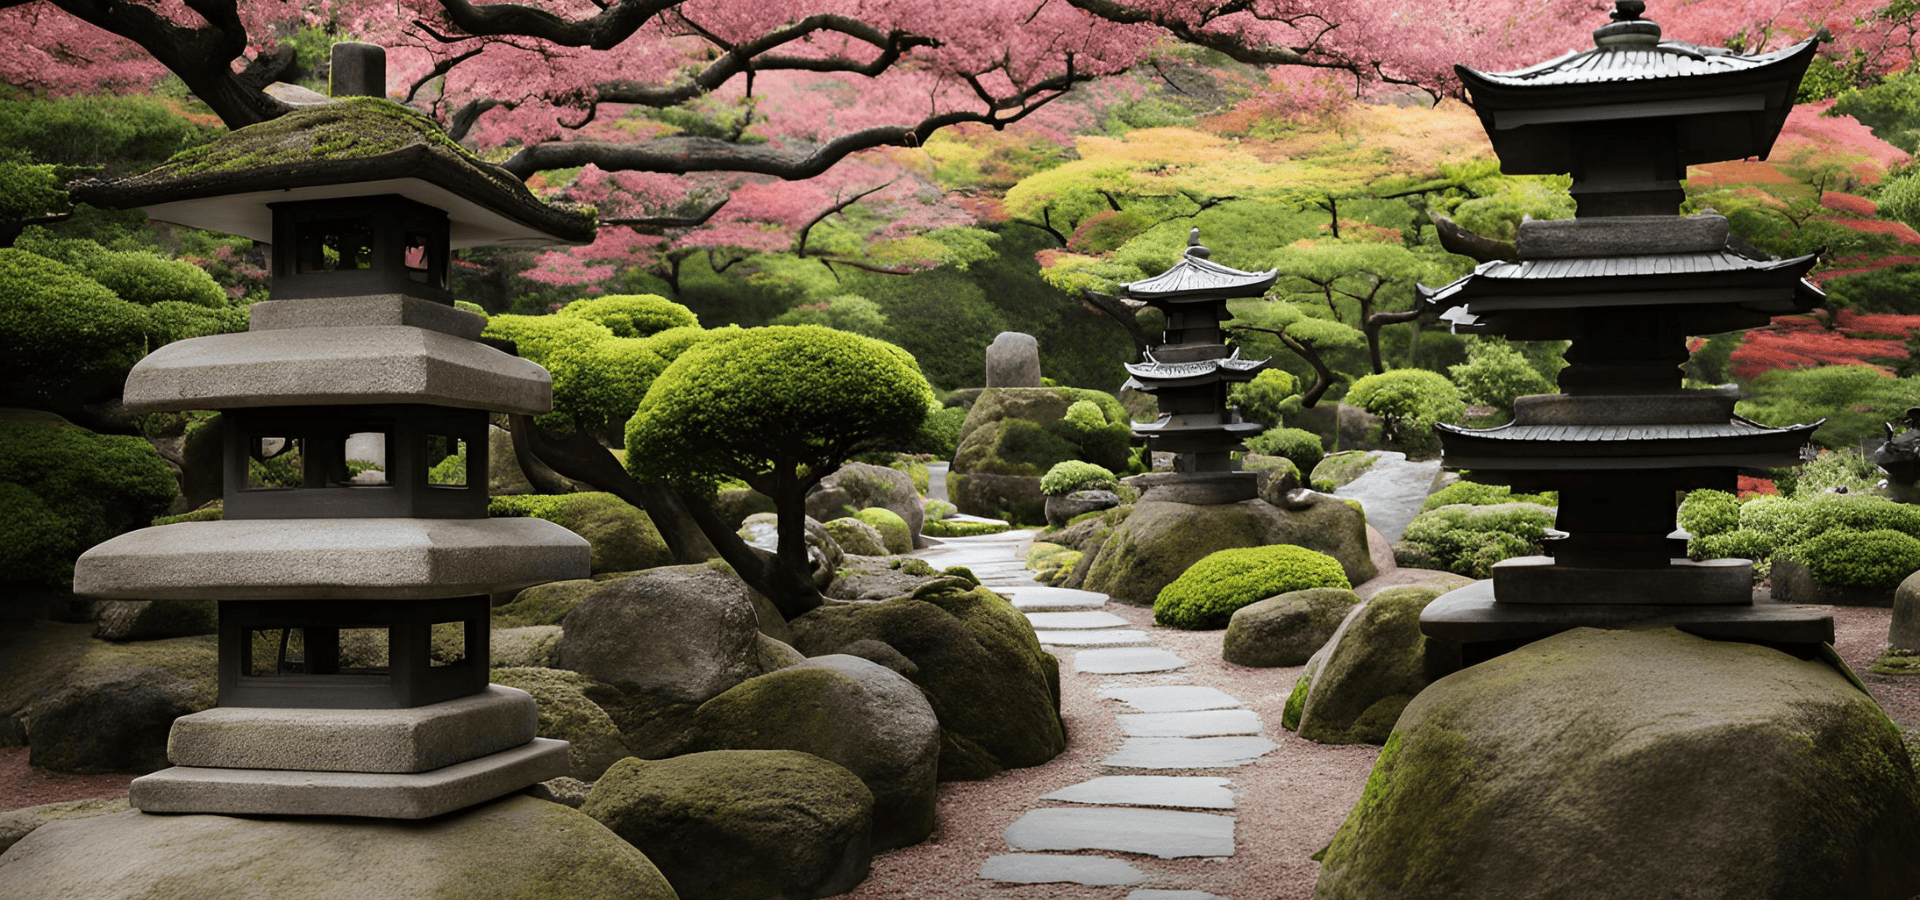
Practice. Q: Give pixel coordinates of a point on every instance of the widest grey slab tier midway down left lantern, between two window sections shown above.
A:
(310, 559)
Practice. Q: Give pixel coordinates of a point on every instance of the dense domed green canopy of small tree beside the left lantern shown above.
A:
(773, 400)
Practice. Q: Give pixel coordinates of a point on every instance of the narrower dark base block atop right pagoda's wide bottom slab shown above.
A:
(1539, 580)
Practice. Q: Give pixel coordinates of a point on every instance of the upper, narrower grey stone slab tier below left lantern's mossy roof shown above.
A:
(308, 367)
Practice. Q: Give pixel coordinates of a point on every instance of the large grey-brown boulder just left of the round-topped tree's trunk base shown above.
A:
(661, 644)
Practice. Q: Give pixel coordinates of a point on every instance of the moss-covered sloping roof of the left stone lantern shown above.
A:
(358, 147)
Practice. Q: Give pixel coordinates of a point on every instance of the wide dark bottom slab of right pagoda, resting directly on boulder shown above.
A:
(1470, 627)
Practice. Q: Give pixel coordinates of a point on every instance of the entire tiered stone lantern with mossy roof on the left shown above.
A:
(352, 604)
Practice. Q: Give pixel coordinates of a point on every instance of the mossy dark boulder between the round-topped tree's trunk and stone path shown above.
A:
(994, 688)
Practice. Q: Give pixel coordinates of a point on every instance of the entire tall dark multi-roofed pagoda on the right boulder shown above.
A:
(1627, 281)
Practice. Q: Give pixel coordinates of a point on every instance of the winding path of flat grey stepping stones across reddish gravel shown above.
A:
(1074, 836)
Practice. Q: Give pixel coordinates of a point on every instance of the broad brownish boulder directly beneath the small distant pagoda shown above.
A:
(1161, 540)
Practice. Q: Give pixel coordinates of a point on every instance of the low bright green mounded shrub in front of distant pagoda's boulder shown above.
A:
(1212, 590)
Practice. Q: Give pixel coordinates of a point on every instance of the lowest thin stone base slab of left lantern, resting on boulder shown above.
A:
(345, 793)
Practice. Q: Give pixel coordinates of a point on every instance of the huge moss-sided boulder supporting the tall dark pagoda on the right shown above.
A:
(1631, 765)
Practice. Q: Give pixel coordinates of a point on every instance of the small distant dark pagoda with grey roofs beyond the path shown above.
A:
(1189, 373)
